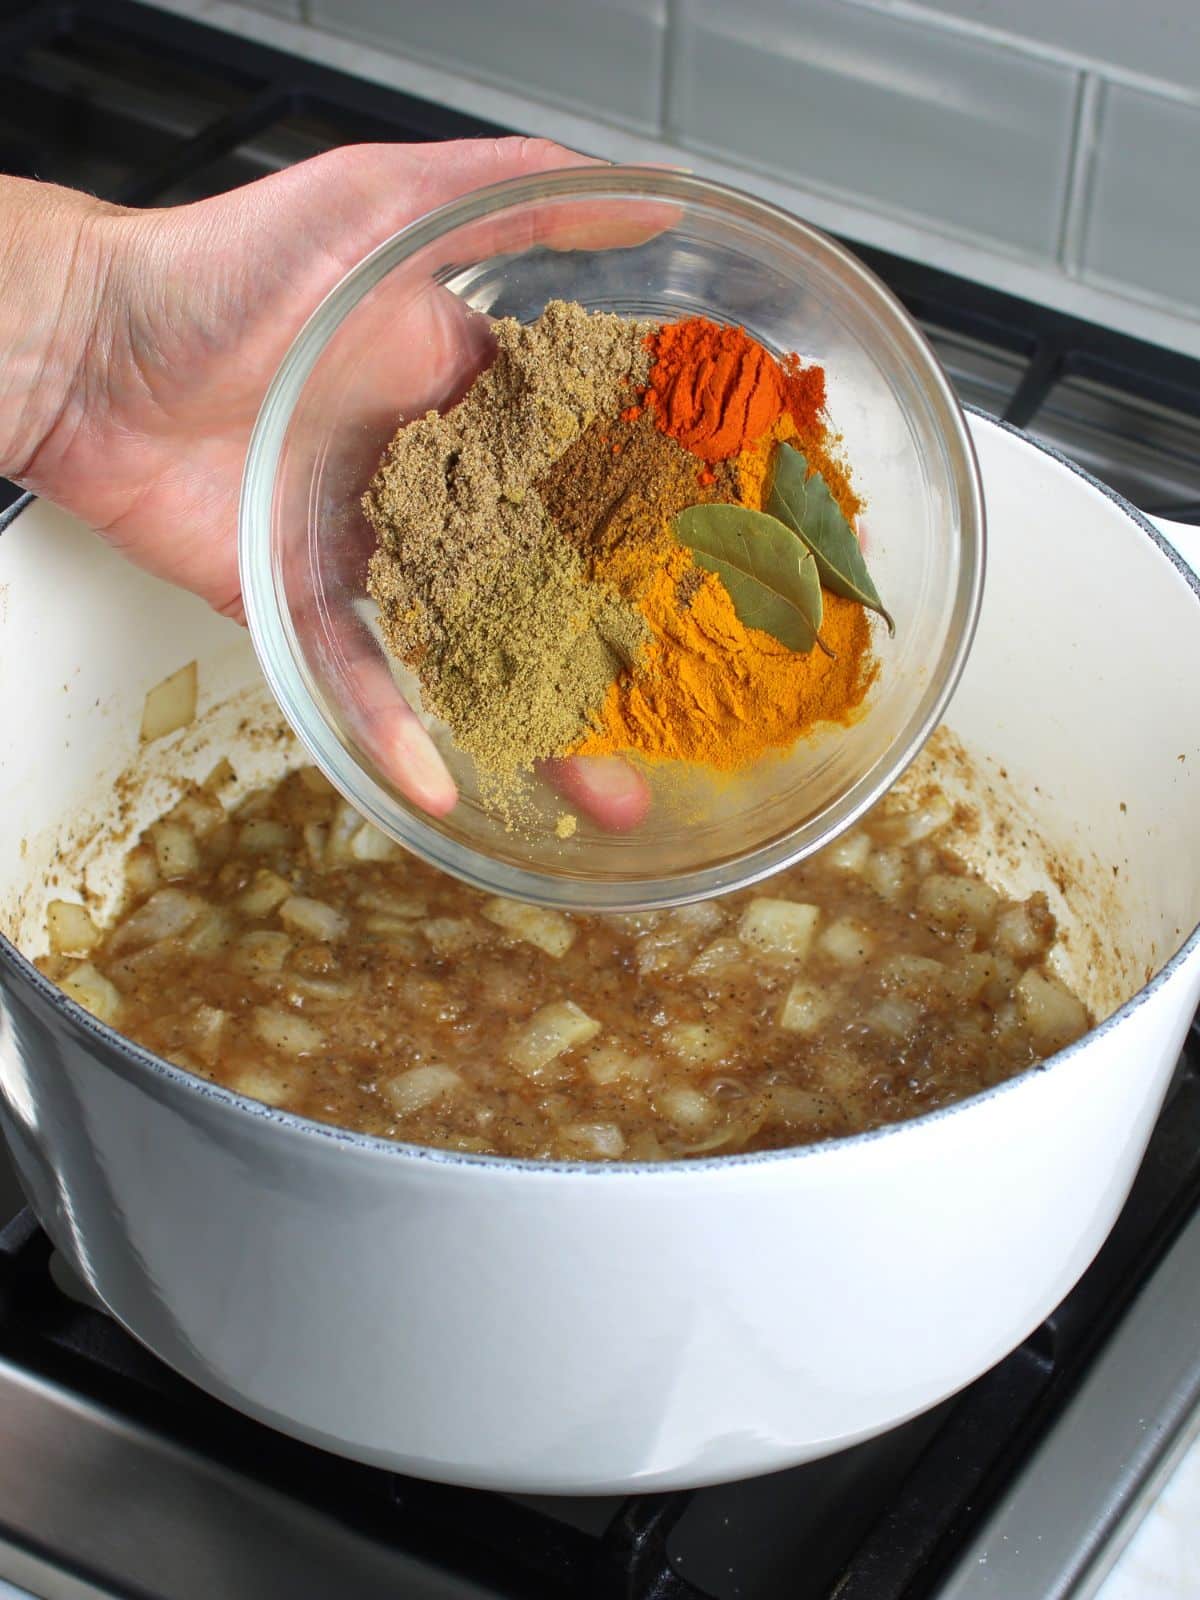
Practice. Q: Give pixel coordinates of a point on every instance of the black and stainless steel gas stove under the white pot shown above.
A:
(121, 1479)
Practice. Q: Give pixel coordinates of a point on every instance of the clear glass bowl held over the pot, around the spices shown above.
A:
(404, 332)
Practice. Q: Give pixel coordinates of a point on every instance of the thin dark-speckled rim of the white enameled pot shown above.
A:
(137, 1060)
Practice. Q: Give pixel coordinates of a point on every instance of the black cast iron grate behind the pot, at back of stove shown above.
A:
(150, 108)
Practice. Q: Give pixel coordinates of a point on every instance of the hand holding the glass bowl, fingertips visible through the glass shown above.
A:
(150, 340)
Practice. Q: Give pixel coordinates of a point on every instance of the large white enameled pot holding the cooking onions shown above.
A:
(594, 1329)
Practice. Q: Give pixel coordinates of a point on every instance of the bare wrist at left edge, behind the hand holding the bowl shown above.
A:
(58, 252)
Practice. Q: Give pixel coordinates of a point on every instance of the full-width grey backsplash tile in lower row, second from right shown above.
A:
(911, 118)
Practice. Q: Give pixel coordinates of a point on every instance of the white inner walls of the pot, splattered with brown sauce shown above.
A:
(1074, 734)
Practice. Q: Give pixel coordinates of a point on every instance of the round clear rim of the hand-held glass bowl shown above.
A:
(278, 647)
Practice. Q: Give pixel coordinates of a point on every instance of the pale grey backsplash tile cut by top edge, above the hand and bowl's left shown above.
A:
(598, 55)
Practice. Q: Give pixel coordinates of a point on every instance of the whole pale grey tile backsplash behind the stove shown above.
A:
(1047, 130)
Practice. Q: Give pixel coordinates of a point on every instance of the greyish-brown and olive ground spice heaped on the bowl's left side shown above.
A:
(478, 590)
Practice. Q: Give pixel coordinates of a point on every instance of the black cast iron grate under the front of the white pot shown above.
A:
(884, 1521)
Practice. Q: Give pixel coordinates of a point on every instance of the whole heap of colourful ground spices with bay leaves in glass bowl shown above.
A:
(537, 572)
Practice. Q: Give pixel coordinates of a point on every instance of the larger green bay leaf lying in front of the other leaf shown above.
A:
(772, 578)
